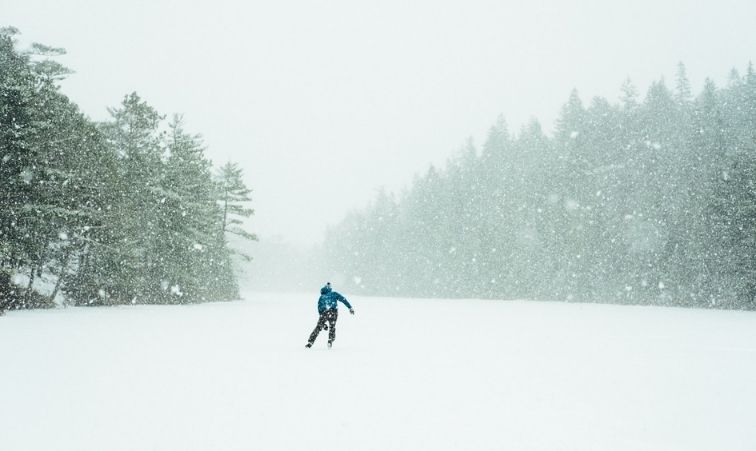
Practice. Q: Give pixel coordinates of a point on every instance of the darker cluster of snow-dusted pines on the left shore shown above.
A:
(118, 212)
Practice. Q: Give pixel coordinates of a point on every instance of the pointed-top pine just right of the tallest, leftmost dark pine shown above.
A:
(127, 256)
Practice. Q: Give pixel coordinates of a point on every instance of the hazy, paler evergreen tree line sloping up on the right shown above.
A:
(649, 201)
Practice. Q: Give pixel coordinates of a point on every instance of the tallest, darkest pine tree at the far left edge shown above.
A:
(52, 158)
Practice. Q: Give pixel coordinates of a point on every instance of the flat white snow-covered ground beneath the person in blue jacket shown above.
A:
(404, 374)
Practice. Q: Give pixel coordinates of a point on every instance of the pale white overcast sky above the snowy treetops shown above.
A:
(323, 102)
